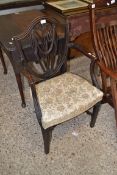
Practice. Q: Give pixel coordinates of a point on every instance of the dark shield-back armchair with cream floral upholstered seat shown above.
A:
(58, 95)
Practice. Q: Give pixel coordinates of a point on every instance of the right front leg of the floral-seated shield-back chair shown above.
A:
(96, 109)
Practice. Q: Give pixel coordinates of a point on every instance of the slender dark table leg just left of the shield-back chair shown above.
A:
(19, 82)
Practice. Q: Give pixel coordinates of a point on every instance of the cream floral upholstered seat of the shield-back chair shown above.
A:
(65, 97)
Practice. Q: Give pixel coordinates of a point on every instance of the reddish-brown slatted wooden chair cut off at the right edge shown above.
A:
(104, 38)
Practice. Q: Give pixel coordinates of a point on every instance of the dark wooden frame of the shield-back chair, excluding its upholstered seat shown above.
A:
(45, 49)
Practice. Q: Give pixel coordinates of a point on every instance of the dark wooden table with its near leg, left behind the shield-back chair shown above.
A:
(12, 25)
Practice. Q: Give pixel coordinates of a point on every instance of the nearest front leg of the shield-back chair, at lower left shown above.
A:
(47, 135)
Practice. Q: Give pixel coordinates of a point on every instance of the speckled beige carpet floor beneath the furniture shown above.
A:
(76, 149)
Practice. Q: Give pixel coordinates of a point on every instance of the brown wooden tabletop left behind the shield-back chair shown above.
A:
(16, 23)
